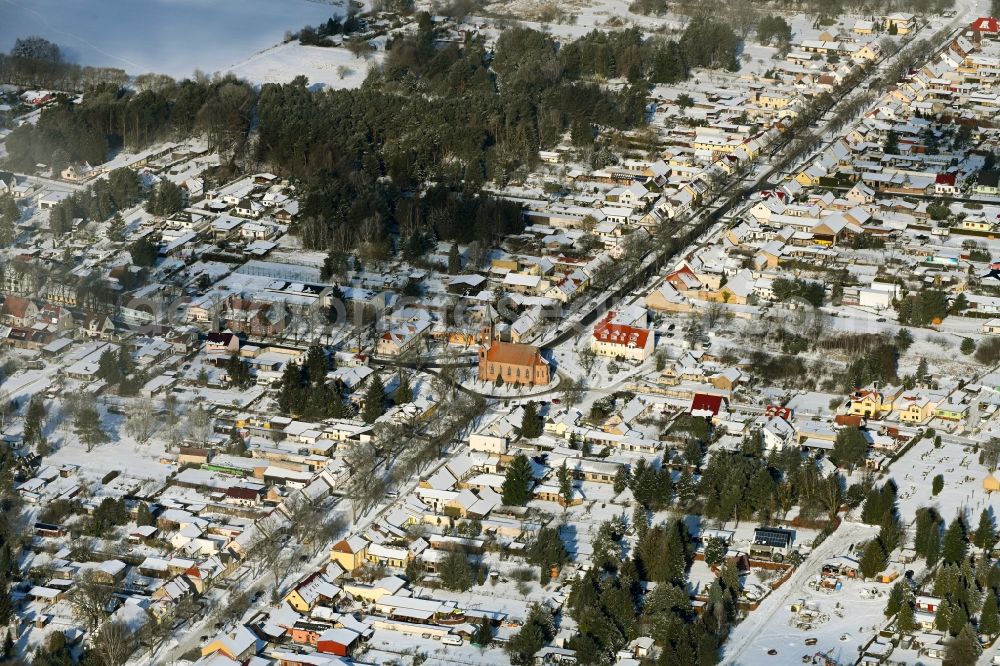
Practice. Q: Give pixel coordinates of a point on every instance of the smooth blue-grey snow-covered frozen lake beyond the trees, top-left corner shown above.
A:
(172, 37)
